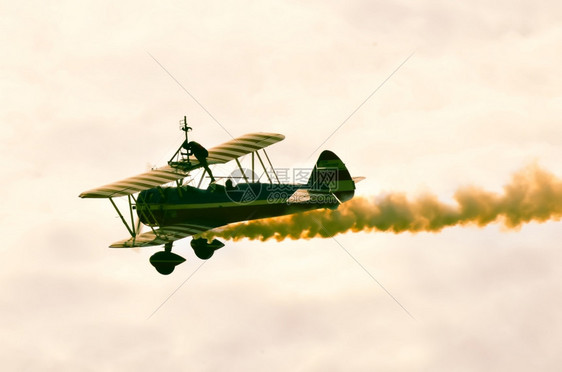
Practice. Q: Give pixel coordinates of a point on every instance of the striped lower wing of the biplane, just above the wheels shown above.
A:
(166, 234)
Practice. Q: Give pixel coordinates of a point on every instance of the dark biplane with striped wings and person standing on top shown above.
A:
(166, 200)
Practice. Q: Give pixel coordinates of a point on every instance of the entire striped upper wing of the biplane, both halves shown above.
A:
(217, 155)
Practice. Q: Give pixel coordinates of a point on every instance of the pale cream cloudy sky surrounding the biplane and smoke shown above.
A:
(92, 93)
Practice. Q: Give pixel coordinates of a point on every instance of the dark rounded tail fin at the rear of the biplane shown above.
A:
(331, 175)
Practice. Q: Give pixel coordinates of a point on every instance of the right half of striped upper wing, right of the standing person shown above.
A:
(240, 146)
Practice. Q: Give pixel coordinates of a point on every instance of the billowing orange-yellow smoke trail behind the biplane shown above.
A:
(532, 195)
